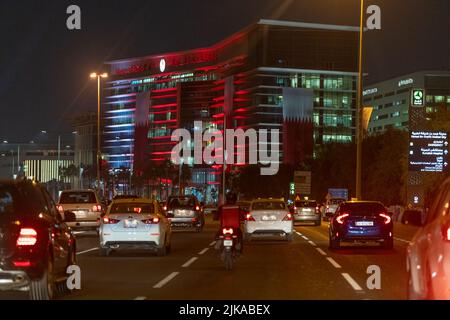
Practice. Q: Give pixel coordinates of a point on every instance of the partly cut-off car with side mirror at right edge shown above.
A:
(428, 253)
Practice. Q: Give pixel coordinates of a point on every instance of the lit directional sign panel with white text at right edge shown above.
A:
(428, 151)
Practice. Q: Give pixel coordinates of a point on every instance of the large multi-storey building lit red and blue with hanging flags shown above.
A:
(296, 77)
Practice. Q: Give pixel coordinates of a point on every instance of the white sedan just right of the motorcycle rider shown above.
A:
(269, 217)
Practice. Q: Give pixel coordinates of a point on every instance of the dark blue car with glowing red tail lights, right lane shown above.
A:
(356, 221)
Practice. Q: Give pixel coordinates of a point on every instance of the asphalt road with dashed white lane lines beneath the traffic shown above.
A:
(269, 269)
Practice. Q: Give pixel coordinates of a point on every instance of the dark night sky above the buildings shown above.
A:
(44, 67)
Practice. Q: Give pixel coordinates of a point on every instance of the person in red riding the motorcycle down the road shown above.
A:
(230, 215)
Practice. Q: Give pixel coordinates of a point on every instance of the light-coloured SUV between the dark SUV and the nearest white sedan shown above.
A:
(85, 204)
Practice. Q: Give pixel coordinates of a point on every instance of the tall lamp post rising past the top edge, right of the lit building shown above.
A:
(359, 135)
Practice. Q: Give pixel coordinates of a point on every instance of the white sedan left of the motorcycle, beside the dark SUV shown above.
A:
(135, 223)
